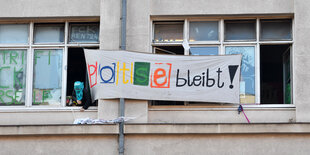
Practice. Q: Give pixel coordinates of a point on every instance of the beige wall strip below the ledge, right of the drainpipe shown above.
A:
(254, 144)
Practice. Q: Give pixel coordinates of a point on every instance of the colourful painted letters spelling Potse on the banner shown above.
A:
(140, 74)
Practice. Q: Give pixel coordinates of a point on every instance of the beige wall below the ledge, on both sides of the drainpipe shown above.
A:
(255, 144)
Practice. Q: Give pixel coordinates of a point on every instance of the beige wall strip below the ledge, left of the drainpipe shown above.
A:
(60, 145)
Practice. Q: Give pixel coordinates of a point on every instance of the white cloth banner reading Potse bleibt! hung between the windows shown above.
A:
(122, 74)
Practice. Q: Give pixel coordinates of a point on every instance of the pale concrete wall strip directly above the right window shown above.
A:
(217, 7)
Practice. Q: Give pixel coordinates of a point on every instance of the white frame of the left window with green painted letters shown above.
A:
(30, 47)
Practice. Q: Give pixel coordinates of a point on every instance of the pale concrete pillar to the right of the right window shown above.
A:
(301, 63)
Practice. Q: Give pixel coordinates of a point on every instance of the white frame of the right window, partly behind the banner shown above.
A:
(222, 43)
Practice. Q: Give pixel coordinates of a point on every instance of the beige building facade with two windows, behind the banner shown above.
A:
(41, 47)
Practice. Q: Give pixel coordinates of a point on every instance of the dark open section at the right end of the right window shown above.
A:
(275, 74)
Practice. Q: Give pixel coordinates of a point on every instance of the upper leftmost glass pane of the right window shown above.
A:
(168, 32)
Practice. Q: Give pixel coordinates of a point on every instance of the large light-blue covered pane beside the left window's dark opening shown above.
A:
(47, 77)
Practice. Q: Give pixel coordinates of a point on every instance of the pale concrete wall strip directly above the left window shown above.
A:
(48, 8)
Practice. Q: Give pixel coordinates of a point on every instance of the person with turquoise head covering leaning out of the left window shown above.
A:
(80, 95)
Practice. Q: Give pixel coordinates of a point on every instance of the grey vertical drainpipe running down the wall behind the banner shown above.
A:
(122, 100)
